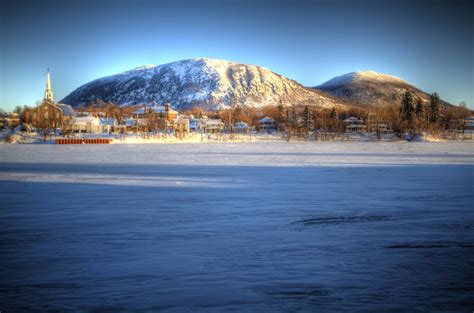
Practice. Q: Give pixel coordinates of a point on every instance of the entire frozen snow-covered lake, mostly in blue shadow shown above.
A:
(253, 227)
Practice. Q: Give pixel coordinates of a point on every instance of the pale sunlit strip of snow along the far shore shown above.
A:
(270, 153)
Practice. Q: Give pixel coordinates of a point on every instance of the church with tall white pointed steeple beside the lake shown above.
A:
(50, 114)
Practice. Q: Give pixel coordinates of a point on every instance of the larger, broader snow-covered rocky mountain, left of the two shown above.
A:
(209, 83)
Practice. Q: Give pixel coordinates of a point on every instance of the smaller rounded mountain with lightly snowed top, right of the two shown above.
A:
(370, 88)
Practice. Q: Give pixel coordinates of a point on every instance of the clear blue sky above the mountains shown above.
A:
(428, 43)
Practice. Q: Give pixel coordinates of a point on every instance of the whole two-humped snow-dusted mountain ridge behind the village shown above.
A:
(214, 84)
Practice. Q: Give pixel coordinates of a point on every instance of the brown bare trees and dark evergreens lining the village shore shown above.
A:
(413, 115)
